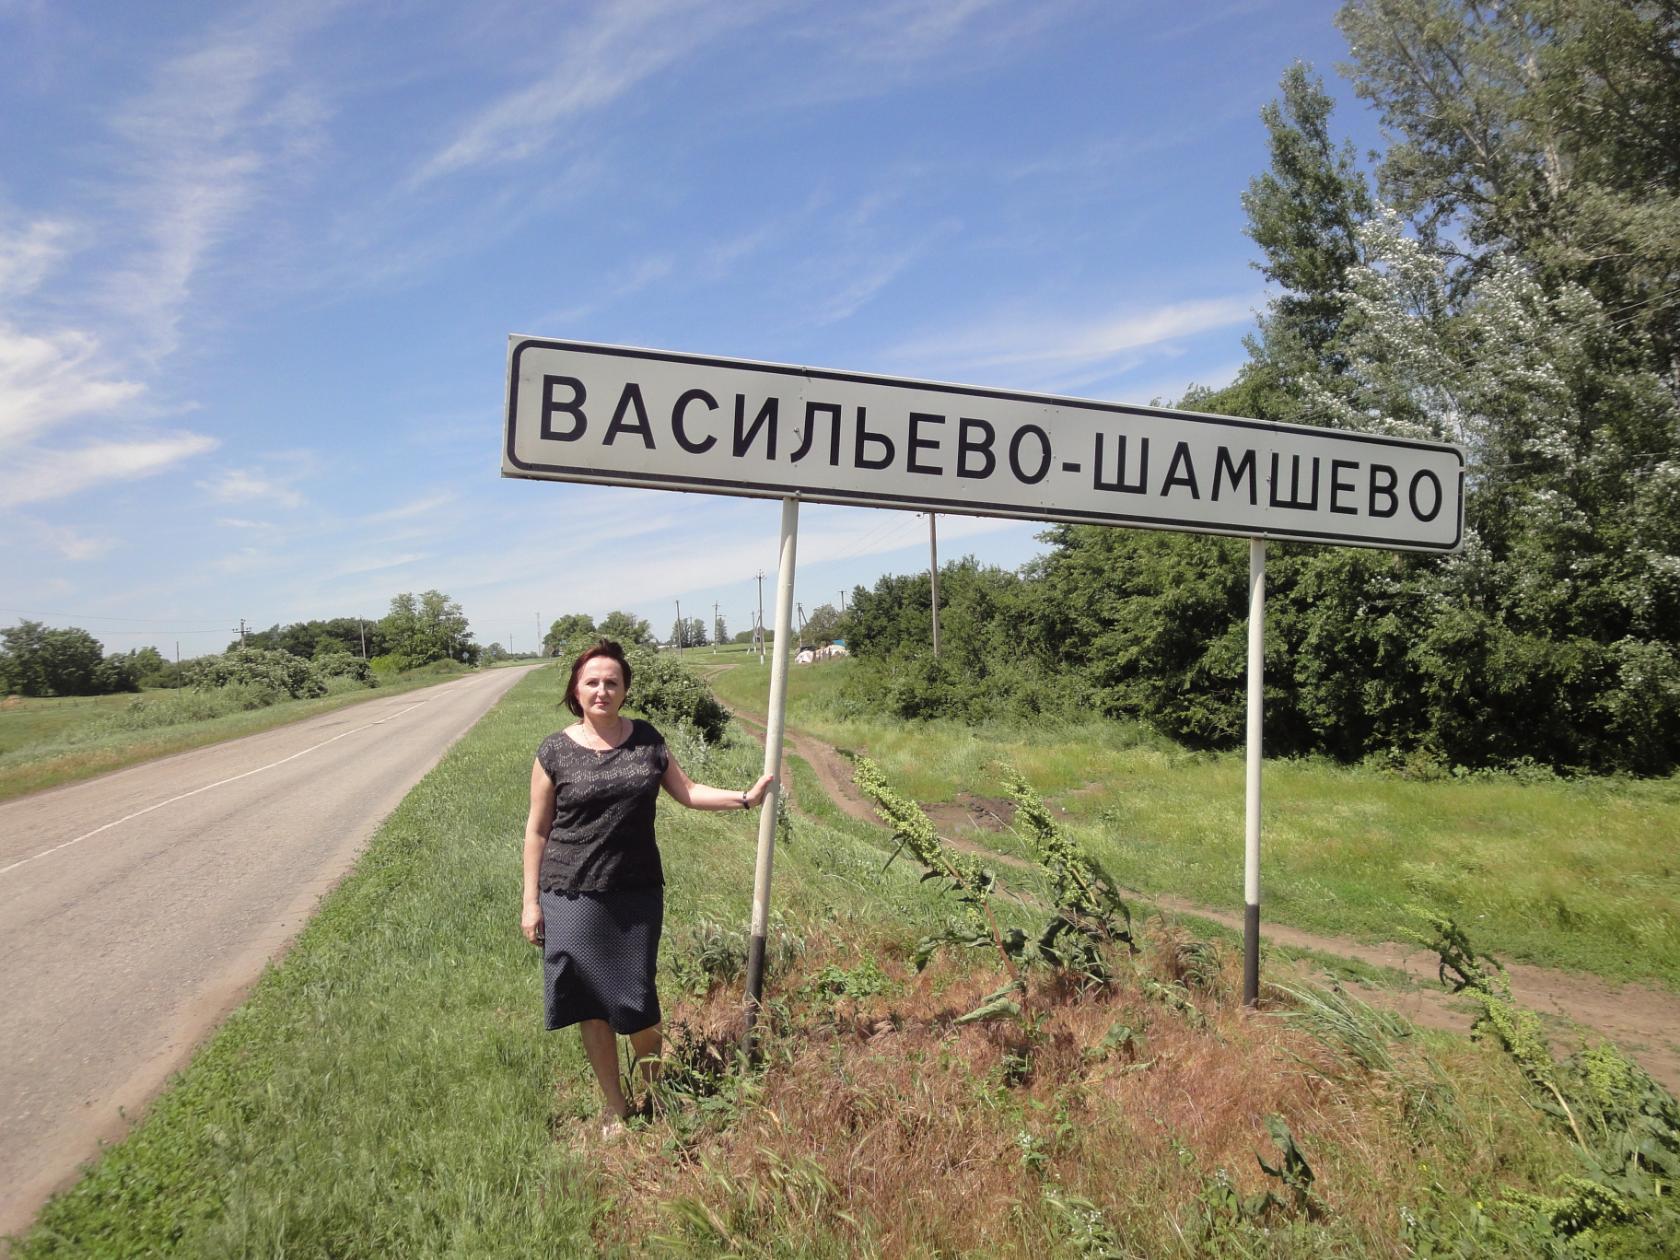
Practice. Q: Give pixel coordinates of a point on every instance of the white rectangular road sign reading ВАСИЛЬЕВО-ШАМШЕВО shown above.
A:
(683, 423)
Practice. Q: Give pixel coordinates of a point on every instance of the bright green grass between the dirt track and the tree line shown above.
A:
(1572, 874)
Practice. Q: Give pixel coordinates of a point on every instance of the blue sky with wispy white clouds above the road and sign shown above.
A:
(260, 266)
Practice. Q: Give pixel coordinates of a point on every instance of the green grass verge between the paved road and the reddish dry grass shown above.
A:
(389, 1089)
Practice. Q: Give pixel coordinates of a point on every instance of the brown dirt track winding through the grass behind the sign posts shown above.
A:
(1642, 1021)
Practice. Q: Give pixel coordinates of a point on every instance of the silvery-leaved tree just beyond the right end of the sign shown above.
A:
(1557, 633)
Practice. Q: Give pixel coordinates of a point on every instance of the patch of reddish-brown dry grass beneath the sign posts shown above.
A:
(878, 1126)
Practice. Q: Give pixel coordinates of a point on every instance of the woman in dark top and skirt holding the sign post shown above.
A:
(594, 886)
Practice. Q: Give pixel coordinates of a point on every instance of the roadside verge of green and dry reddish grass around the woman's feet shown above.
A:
(387, 1089)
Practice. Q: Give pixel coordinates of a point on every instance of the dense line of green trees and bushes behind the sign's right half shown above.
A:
(1508, 278)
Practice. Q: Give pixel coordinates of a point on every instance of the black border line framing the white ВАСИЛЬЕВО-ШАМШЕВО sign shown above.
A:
(663, 481)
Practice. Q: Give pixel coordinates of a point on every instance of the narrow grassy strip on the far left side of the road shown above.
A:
(66, 740)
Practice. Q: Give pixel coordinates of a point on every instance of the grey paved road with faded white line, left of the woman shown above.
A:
(139, 908)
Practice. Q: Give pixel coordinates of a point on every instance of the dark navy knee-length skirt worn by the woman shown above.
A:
(599, 957)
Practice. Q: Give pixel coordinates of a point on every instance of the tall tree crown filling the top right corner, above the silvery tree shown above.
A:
(1548, 130)
